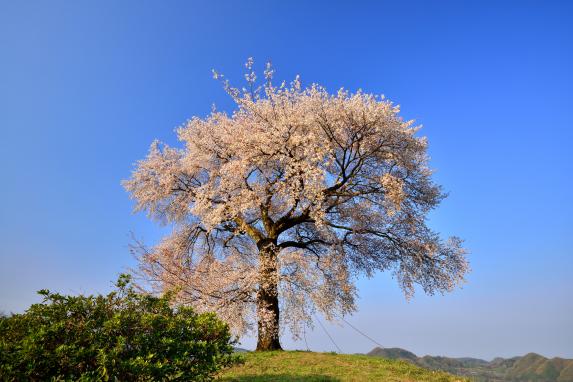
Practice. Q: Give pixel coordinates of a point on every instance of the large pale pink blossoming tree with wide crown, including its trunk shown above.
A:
(280, 206)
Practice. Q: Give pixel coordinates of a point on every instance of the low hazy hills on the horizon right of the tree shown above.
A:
(529, 368)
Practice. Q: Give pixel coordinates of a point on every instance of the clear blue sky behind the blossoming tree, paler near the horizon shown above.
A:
(86, 86)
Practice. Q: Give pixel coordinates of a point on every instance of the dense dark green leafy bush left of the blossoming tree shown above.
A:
(124, 336)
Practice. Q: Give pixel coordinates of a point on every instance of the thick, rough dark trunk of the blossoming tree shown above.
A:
(268, 299)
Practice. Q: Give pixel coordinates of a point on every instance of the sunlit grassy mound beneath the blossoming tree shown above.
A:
(299, 366)
